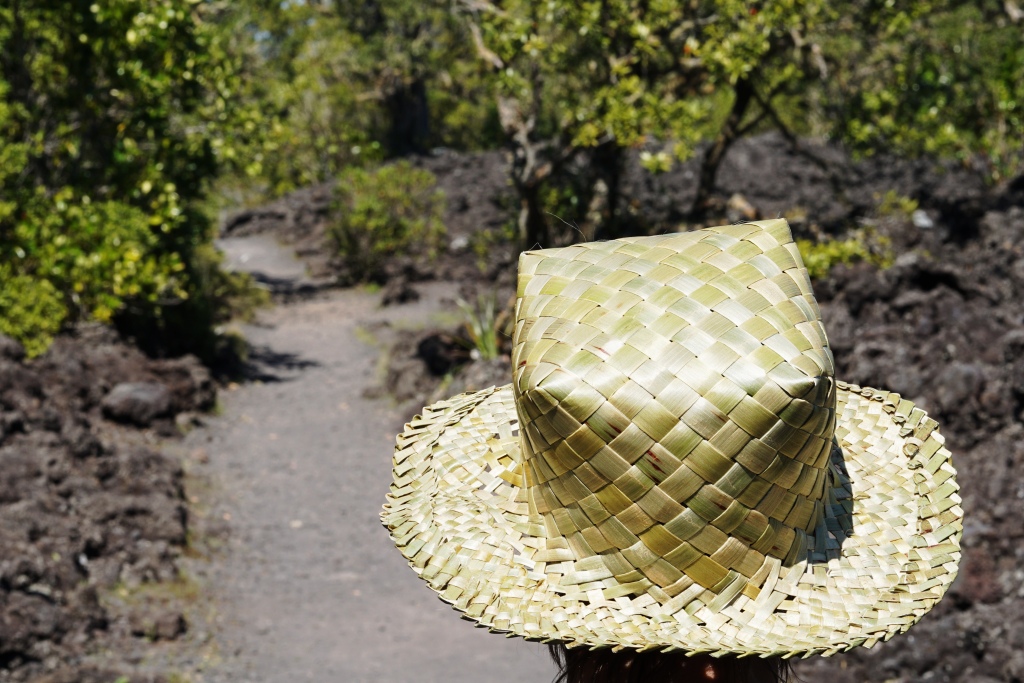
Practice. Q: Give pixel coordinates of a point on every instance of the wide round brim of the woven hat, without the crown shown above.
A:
(885, 554)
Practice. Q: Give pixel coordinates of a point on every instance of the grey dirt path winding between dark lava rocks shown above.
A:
(310, 588)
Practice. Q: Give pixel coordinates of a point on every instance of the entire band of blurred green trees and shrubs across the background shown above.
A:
(125, 124)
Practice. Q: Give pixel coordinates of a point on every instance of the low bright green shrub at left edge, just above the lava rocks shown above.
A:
(68, 259)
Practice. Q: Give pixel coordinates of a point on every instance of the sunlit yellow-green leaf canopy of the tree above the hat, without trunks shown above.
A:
(624, 71)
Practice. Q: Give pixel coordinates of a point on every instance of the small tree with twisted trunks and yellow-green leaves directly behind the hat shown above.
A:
(595, 78)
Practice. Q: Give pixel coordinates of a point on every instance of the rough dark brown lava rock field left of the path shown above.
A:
(92, 513)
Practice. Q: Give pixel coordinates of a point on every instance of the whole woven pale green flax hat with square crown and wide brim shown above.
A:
(675, 465)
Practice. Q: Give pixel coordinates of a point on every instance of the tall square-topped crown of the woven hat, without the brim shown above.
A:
(676, 400)
